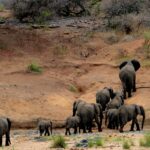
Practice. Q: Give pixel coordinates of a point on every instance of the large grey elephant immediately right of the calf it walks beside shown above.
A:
(87, 113)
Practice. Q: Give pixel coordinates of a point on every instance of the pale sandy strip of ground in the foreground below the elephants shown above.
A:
(30, 140)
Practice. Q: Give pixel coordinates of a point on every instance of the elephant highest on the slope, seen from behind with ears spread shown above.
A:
(127, 76)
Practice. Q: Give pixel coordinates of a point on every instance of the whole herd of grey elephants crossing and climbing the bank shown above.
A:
(108, 103)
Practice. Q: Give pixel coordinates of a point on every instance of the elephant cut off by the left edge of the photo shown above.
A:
(5, 125)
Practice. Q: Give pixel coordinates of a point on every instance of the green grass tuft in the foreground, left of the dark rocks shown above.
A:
(59, 142)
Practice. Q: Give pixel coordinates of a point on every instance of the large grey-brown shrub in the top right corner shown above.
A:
(125, 15)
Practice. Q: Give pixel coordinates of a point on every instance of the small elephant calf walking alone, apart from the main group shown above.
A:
(45, 126)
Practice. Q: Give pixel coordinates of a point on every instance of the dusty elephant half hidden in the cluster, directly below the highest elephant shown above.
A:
(116, 102)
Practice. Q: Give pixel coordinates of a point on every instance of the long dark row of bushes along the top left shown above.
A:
(37, 10)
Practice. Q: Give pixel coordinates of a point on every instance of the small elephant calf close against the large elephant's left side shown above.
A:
(72, 122)
